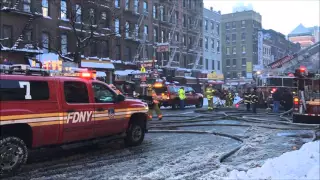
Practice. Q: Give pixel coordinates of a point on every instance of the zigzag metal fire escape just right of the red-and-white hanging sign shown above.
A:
(171, 41)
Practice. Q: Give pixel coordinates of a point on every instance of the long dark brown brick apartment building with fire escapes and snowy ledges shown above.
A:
(120, 26)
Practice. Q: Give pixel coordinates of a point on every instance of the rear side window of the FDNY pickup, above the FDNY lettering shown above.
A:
(76, 92)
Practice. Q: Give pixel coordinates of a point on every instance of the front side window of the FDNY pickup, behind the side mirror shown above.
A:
(102, 94)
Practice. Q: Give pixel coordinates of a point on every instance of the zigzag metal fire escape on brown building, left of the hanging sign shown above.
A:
(142, 43)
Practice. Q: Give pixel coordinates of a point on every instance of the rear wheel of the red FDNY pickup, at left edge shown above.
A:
(13, 154)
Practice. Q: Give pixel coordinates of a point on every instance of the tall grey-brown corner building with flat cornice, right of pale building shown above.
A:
(240, 44)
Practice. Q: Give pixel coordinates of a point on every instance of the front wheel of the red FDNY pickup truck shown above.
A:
(135, 134)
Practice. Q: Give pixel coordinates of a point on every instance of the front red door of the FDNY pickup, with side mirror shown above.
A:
(106, 119)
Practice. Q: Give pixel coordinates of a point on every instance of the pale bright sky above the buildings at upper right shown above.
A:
(280, 15)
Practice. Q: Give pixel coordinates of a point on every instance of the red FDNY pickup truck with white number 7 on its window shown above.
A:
(38, 109)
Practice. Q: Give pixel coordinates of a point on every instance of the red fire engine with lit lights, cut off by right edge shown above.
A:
(306, 103)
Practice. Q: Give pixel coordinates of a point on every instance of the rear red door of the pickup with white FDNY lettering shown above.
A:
(78, 111)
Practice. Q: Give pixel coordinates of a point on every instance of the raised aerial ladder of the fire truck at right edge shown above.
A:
(290, 62)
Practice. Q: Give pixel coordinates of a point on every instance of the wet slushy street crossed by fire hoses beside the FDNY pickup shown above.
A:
(186, 150)
